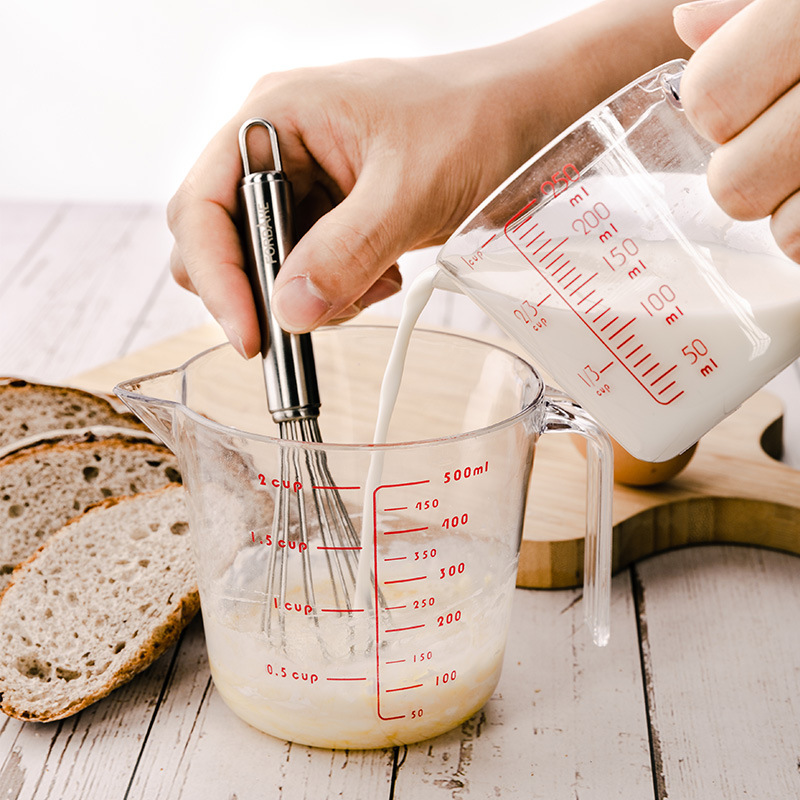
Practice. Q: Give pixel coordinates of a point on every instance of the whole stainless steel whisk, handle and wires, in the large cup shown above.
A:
(306, 485)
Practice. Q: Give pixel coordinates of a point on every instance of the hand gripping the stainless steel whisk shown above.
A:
(384, 156)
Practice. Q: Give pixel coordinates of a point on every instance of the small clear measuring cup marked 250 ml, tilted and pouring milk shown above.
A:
(606, 257)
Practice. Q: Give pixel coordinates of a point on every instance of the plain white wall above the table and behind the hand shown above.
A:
(105, 100)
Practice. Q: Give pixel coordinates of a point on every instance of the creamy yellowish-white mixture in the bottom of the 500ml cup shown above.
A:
(315, 682)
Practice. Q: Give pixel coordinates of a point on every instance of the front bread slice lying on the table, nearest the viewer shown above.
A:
(99, 602)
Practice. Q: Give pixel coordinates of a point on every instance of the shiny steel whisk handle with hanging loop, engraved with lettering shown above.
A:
(267, 238)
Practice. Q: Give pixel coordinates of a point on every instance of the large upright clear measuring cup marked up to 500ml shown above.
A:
(308, 657)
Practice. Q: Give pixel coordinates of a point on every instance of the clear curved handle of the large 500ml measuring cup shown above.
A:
(563, 415)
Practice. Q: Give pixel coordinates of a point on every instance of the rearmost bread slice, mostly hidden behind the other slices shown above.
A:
(28, 408)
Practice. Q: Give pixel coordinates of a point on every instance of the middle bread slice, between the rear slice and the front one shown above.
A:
(45, 485)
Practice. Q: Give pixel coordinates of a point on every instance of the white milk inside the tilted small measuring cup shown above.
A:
(658, 357)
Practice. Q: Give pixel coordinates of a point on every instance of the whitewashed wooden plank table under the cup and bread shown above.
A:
(697, 696)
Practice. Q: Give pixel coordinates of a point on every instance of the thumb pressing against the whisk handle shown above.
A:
(344, 255)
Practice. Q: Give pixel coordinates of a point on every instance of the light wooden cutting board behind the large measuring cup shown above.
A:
(731, 492)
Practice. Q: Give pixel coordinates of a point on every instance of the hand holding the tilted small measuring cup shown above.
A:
(741, 89)
